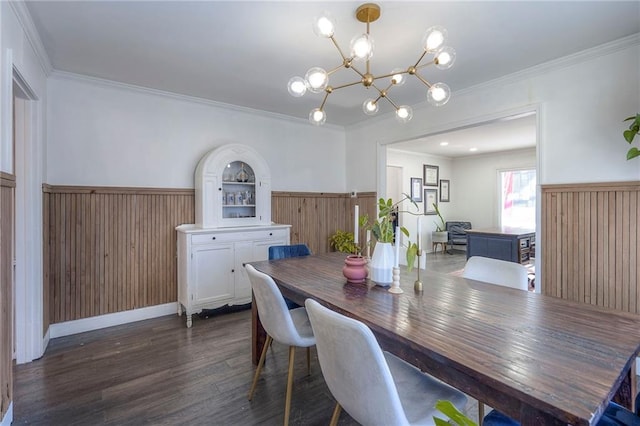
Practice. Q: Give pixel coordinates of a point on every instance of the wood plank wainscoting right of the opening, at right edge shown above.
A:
(590, 239)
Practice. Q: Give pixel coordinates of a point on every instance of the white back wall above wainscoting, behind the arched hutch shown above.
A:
(101, 133)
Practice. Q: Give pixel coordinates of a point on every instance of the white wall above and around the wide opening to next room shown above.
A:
(582, 100)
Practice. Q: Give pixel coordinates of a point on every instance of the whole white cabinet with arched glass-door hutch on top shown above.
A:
(233, 226)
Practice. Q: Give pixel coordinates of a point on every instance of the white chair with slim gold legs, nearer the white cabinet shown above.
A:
(289, 327)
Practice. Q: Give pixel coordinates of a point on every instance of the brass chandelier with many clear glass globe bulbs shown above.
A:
(316, 80)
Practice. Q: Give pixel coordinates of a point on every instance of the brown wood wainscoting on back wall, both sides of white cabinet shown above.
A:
(109, 249)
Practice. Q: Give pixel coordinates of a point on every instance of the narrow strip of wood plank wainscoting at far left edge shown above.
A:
(7, 196)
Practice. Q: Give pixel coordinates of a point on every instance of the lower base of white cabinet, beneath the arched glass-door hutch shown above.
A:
(211, 262)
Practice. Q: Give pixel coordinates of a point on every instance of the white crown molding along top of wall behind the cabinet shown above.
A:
(64, 75)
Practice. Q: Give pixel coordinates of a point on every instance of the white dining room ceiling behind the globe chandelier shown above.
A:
(243, 53)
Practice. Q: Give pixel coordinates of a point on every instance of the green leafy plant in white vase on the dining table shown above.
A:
(383, 259)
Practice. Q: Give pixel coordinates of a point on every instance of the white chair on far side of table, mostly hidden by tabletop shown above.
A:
(499, 272)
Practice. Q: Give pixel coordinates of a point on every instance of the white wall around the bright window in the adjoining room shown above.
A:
(474, 188)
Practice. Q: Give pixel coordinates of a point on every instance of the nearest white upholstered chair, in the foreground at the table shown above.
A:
(374, 387)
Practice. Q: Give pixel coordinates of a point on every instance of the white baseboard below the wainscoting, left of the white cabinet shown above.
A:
(102, 321)
